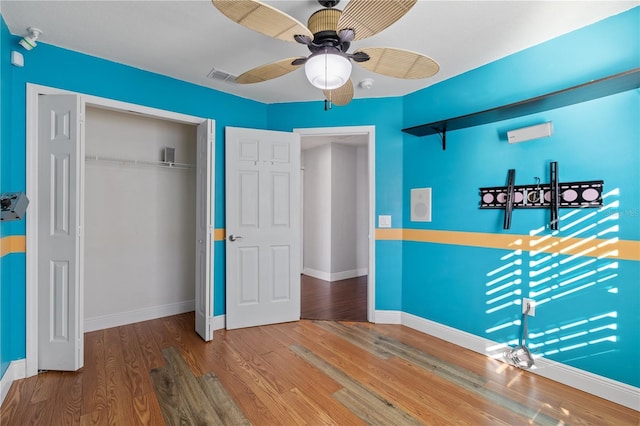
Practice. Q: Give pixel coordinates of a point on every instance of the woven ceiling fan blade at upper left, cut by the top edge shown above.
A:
(263, 18)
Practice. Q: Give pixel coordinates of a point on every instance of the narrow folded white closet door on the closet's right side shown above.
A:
(204, 231)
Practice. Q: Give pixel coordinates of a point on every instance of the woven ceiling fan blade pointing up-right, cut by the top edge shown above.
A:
(369, 17)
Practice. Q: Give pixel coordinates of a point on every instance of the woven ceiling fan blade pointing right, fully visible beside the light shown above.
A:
(398, 63)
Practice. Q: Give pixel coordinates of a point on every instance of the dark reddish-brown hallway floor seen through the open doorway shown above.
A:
(344, 300)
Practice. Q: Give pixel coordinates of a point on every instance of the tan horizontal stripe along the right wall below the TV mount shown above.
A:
(590, 247)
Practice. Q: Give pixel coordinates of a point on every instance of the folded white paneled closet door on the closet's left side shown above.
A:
(60, 337)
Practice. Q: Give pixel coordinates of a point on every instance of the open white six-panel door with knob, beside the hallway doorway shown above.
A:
(262, 227)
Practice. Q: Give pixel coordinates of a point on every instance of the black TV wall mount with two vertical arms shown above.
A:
(553, 195)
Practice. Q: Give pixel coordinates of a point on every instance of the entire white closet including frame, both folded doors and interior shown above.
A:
(120, 194)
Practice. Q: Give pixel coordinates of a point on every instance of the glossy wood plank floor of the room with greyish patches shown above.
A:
(306, 372)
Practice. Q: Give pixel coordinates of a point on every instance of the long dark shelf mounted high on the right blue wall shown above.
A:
(590, 90)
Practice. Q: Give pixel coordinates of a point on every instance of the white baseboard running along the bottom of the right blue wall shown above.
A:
(603, 387)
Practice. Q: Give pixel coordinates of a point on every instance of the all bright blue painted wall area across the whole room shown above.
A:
(450, 284)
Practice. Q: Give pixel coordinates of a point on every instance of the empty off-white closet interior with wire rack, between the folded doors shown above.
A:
(140, 189)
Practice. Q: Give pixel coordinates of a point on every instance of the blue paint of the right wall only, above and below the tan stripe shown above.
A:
(590, 312)
